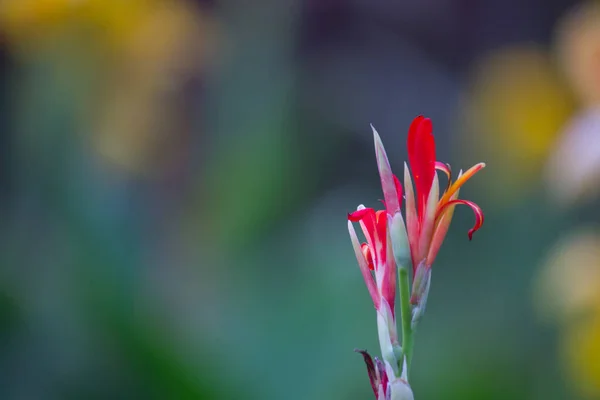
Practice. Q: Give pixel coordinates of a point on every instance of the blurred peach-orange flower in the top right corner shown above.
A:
(578, 47)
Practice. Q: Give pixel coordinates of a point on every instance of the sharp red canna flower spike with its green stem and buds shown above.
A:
(391, 244)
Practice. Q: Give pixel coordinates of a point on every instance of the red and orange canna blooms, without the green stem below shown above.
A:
(428, 214)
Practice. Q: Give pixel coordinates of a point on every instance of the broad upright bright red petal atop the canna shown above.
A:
(421, 157)
